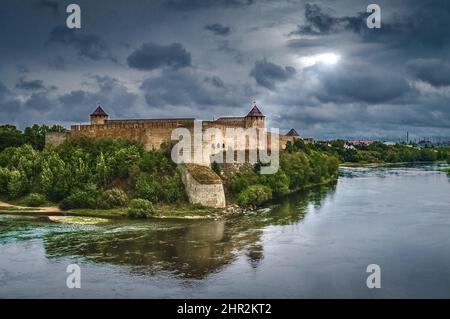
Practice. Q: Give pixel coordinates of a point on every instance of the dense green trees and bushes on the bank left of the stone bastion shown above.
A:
(90, 173)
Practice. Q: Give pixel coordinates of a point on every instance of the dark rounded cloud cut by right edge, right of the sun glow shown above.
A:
(433, 71)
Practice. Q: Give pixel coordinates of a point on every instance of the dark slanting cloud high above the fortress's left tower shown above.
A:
(89, 46)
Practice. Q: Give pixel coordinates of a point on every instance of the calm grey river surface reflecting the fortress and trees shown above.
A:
(315, 244)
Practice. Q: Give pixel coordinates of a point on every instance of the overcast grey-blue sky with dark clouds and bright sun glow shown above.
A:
(313, 66)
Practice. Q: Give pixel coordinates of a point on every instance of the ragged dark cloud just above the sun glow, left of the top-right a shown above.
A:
(319, 22)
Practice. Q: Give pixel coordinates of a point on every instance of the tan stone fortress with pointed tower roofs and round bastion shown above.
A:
(153, 132)
